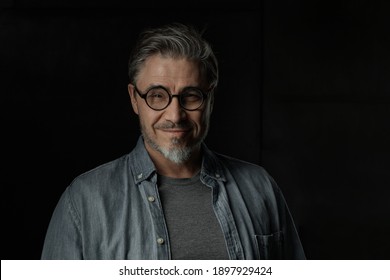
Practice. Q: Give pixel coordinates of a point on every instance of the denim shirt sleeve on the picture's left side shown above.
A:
(63, 238)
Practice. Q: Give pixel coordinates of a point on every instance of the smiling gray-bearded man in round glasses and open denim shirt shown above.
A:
(171, 197)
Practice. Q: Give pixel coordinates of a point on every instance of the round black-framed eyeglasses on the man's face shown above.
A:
(158, 98)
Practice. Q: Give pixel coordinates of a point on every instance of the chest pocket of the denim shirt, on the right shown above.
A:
(270, 246)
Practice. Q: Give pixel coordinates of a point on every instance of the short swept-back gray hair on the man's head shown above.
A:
(177, 41)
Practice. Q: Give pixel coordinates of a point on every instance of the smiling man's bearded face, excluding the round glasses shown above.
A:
(173, 132)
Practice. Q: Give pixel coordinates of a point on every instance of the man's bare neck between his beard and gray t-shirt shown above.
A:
(168, 168)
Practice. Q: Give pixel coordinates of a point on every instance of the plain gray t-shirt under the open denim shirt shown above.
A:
(194, 231)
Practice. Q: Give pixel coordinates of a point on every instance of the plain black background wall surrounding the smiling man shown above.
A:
(304, 91)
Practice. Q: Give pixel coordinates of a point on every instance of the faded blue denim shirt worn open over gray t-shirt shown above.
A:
(114, 212)
